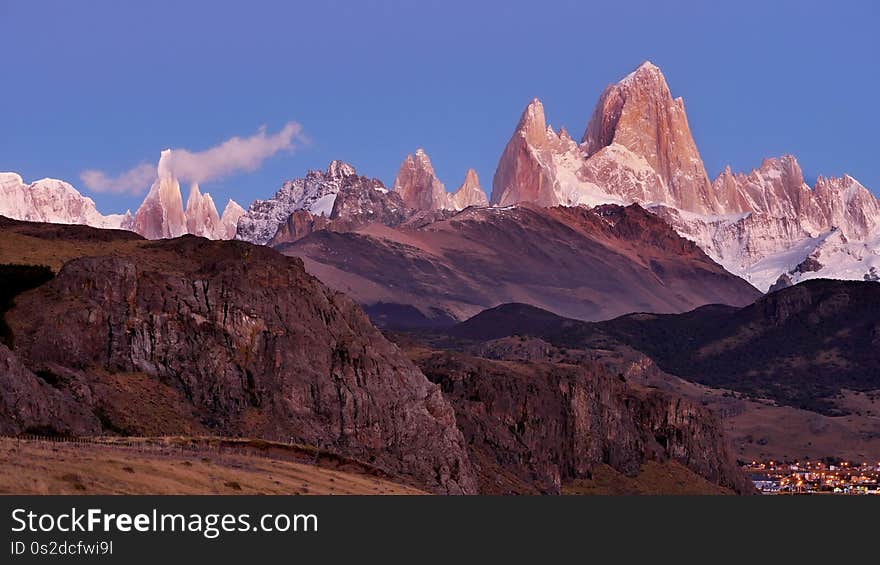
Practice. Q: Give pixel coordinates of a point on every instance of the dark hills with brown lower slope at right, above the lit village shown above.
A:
(792, 376)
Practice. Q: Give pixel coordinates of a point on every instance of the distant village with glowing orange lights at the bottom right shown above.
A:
(814, 477)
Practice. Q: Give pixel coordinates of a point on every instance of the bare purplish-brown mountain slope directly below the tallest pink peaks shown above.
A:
(589, 264)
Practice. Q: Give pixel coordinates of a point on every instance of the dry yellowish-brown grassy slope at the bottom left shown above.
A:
(56, 468)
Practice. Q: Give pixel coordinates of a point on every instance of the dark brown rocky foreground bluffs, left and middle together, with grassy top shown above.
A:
(193, 337)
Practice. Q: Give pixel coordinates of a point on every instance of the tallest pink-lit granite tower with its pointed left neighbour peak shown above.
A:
(637, 148)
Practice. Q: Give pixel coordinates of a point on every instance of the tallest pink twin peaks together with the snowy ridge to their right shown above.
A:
(638, 147)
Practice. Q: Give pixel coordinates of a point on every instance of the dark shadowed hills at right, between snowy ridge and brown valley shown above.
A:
(799, 346)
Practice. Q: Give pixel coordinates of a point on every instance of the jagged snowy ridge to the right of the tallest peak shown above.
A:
(776, 221)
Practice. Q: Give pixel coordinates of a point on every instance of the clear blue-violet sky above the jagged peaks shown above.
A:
(106, 85)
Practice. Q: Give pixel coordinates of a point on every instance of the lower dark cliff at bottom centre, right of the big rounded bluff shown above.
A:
(531, 427)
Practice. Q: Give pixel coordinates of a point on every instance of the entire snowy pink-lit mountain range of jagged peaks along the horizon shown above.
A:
(767, 226)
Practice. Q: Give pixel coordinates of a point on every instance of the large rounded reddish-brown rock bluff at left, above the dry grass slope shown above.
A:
(255, 345)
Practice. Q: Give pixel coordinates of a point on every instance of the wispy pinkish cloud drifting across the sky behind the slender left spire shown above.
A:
(233, 155)
